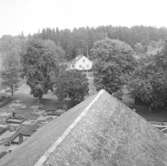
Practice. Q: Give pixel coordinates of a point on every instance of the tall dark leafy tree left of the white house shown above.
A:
(40, 65)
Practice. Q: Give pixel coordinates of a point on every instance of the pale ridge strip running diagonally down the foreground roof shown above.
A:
(52, 148)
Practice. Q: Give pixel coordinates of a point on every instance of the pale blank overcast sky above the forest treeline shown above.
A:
(29, 16)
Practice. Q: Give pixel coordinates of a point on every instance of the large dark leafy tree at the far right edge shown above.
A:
(149, 81)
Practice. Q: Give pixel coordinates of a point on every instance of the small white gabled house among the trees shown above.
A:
(81, 62)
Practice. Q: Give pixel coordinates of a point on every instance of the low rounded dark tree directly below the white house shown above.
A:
(71, 86)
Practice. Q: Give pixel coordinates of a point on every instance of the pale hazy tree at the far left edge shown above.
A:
(10, 49)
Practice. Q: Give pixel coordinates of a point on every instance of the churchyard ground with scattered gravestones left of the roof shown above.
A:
(22, 117)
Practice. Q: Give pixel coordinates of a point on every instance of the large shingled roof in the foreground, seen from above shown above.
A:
(100, 131)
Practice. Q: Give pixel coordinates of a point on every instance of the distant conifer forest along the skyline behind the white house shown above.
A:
(81, 40)
